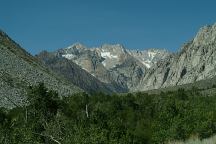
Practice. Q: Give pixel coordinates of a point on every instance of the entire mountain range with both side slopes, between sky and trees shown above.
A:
(108, 68)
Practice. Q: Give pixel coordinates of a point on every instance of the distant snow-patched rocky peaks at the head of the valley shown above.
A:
(113, 64)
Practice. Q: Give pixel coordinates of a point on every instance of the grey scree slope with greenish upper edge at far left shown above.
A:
(18, 69)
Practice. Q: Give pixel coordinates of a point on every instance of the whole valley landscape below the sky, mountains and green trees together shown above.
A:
(108, 94)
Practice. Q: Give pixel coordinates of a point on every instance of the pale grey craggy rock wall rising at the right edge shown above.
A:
(195, 61)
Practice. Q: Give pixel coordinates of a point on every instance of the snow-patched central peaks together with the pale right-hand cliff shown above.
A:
(149, 68)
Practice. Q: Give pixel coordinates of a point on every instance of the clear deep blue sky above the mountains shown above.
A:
(137, 24)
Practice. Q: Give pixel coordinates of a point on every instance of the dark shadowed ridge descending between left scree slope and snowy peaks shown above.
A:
(74, 73)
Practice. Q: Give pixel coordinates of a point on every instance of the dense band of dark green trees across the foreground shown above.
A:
(136, 118)
